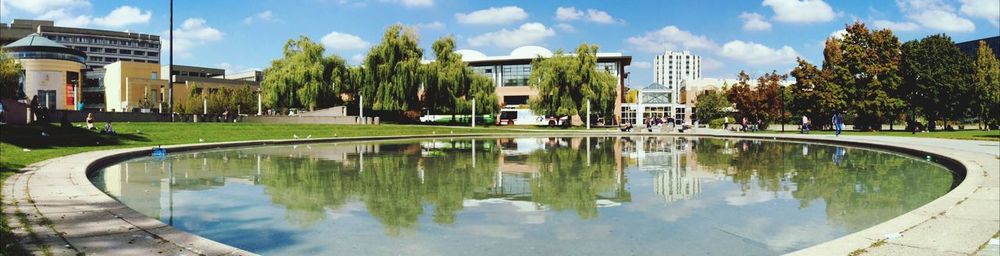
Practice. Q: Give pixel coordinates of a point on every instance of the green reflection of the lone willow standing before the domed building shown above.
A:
(569, 180)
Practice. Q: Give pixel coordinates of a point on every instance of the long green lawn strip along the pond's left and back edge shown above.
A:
(14, 139)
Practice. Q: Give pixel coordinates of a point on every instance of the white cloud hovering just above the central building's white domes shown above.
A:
(526, 34)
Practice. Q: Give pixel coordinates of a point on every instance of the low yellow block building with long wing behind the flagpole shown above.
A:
(133, 86)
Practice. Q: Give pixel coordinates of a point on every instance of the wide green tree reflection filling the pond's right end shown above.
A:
(864, 189)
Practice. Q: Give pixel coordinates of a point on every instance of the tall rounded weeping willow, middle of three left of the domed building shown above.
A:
(391, 73)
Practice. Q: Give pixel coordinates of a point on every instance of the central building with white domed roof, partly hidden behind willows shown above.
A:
(510, 73)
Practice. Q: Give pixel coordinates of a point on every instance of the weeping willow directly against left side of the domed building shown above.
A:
(450, 85)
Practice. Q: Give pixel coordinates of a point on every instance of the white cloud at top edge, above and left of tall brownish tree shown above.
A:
(800, 11)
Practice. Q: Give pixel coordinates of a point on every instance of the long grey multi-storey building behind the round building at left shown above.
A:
(101, 46)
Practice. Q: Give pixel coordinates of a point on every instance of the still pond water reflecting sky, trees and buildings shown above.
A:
(527, 196)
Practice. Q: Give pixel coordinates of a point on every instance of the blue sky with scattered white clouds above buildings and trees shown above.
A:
(756, 36)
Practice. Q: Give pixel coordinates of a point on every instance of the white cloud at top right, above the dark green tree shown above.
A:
(936, 15)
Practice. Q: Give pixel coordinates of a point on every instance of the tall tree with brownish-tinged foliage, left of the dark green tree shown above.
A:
(872, 60)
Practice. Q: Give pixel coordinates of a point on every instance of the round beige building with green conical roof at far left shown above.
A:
(52, 71)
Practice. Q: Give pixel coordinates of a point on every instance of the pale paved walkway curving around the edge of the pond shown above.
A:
(68, 215)
